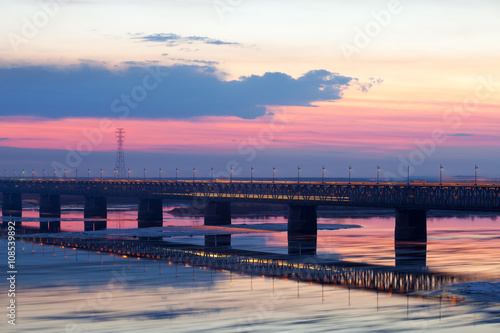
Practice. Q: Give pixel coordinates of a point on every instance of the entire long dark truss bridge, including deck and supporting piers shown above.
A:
(411, 201)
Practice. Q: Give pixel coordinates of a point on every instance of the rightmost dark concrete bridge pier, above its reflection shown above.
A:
(411, 225)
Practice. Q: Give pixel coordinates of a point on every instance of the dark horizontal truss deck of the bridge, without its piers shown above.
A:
(450, 196)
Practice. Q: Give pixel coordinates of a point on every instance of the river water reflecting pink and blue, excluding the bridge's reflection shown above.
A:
(67, 290)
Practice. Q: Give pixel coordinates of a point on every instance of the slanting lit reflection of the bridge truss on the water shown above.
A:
(380, 278)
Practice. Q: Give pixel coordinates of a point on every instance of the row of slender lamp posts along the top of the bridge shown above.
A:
(231, 174)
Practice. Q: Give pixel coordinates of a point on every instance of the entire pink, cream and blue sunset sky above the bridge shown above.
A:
(235, 84)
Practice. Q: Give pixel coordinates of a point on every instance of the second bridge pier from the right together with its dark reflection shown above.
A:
(302, 229)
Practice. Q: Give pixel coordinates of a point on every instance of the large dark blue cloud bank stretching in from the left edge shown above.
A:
(179, 91)
